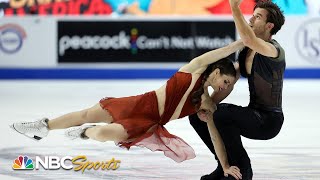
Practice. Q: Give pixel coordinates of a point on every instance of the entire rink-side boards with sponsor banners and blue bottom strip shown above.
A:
(27, 43)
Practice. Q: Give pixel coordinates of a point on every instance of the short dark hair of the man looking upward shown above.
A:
(275, 15)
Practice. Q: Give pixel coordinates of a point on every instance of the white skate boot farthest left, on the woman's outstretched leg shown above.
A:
(34, 130)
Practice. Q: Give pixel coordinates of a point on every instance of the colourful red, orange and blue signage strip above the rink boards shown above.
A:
(146, 7)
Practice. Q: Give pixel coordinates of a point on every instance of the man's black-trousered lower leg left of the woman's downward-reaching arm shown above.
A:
(202, 129)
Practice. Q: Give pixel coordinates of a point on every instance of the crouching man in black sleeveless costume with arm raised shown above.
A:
(262, 62)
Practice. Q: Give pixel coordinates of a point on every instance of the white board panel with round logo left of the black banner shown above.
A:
(27, 42)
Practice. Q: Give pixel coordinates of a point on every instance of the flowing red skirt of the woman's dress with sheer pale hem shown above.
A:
(139, 115)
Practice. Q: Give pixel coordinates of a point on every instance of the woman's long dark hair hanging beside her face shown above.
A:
(226, 68)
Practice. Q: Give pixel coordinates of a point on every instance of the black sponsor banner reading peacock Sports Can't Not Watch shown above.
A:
(140, 41)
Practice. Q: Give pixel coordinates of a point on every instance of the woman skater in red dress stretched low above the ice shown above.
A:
(139, 120)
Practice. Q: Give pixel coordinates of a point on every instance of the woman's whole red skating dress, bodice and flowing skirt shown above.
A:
(139, 115)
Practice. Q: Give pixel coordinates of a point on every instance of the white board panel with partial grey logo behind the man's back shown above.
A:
(300, 37)
